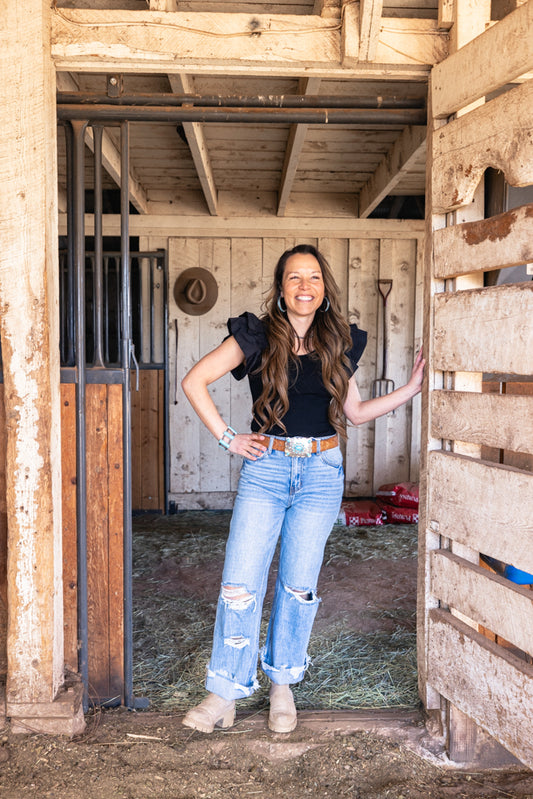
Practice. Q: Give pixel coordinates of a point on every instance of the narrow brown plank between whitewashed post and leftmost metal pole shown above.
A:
(70, 547)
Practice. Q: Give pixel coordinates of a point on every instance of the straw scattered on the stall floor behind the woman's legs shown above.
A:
(172, 633)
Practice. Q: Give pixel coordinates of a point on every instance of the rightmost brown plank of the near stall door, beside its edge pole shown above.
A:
(115, 587)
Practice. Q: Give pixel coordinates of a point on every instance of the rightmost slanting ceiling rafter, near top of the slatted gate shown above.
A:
(407, 150)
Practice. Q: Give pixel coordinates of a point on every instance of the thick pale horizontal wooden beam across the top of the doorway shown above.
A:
(230, 44)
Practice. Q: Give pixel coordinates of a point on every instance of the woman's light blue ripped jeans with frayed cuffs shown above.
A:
(299, 499)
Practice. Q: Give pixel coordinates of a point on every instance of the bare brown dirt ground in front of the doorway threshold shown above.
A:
(139, 755)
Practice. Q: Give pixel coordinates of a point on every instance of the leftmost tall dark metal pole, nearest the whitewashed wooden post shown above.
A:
(78, 236)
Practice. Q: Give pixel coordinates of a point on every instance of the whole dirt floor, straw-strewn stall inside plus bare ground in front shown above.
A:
(360, 733)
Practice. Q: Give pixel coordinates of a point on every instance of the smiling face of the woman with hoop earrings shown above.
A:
(302, 286)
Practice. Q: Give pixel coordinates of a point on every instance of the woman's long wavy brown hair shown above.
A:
(328, 339)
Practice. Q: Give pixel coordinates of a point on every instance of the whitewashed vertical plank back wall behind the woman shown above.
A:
(201, 475)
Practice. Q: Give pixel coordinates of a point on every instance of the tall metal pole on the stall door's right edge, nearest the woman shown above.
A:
(126, 413)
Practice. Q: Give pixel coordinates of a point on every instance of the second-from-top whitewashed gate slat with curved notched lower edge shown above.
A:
(496, 134)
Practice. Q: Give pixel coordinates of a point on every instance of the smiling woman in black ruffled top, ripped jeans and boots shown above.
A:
(300, 359)
